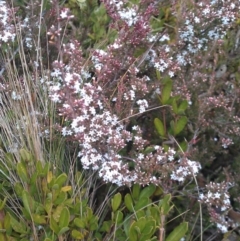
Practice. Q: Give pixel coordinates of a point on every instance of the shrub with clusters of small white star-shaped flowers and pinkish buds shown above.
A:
(151, 88)
